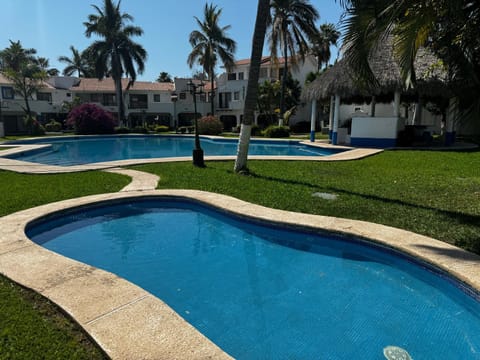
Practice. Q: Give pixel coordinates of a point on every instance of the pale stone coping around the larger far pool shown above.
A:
(37, 168)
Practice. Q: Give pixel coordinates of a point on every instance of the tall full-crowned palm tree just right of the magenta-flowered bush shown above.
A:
(117, 53)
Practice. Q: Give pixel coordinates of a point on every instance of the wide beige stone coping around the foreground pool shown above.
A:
(128, 322)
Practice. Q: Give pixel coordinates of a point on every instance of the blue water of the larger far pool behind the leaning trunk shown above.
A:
(99, 149)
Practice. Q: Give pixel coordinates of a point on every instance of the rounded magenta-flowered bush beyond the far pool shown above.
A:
(91, 119)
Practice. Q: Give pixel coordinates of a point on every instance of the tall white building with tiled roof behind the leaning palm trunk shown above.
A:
(231, 88)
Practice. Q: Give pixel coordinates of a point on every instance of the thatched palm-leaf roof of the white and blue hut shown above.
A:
(340, 79)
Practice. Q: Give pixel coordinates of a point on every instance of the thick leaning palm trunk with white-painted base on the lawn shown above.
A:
(258, 40)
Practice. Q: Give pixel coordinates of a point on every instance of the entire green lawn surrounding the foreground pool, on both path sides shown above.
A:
(432, 193)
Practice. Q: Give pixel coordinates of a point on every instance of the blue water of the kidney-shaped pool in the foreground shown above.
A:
(264, 292)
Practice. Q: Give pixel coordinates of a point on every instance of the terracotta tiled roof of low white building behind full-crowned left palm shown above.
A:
(108, 85)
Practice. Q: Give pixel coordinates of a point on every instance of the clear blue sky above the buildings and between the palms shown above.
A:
(51, 26)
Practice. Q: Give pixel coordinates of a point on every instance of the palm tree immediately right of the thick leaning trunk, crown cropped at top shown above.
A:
(292, 28)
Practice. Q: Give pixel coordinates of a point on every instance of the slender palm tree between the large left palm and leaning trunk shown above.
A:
(209, 43)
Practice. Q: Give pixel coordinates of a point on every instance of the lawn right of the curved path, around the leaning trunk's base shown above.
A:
(432, 193)
